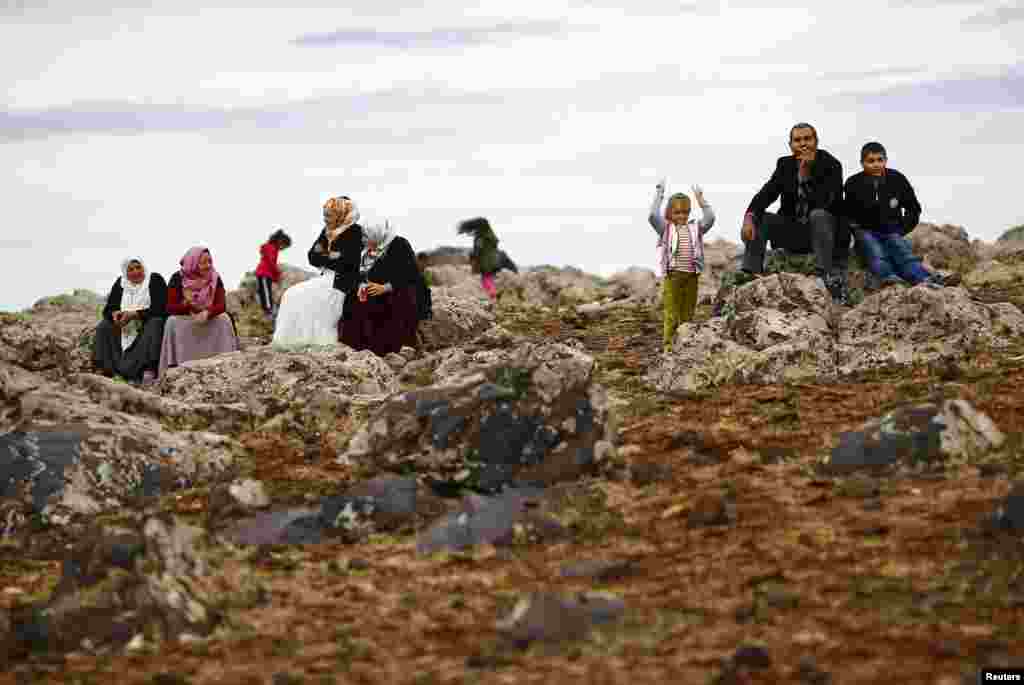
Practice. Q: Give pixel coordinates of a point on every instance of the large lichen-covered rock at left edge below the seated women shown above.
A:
(69, 456)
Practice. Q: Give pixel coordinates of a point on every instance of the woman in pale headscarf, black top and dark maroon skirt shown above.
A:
(382, 317)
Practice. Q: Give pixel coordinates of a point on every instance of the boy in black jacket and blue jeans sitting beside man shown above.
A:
(882, 209)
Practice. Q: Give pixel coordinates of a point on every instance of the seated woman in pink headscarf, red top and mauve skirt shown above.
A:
(199, 326)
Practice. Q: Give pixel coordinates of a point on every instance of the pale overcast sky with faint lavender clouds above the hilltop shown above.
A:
(146, 129)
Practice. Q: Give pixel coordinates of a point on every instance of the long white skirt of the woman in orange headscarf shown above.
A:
(310, 313)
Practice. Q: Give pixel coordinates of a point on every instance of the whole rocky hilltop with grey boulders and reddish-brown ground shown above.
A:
(798, 493)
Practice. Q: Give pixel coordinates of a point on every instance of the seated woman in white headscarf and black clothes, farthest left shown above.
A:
(129, 339)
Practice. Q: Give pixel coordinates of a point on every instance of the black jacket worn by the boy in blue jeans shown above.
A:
(884, 204)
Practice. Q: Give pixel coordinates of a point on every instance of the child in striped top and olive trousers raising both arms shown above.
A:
(680, 247)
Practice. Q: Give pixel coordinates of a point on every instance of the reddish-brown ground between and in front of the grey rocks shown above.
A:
(874, 579)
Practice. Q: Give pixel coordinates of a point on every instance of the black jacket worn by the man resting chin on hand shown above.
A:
(827, 178)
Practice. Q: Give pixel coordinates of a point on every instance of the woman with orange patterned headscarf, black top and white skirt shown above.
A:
(310, 311)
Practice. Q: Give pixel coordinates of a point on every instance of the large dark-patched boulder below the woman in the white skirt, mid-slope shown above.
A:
(530, 415)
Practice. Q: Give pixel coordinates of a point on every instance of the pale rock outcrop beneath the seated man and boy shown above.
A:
(783, 328)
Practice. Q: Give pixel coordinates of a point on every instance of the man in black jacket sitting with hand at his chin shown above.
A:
(809, 184)
